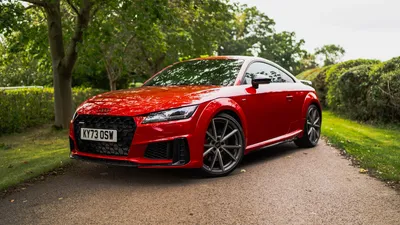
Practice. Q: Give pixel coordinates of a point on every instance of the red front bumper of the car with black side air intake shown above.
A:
(174, 144)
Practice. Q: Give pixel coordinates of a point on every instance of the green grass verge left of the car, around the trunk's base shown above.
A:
(32, 153)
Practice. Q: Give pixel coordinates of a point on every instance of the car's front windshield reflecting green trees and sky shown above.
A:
(199, 72)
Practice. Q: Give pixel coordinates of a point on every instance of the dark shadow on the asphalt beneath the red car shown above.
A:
(128, 176)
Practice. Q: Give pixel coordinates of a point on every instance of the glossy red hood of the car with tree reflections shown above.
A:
(144, 100)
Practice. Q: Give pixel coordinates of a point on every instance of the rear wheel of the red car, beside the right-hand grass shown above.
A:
(312, 128)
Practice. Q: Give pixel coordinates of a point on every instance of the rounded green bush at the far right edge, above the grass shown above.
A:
(385, 92)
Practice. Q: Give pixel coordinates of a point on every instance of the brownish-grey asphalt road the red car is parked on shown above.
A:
(281, 185)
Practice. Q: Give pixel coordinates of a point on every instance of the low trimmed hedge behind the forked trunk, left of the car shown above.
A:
(22, 108)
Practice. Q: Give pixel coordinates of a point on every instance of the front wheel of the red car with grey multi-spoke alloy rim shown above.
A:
(223, 146)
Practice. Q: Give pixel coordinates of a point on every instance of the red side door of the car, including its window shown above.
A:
(266, 106)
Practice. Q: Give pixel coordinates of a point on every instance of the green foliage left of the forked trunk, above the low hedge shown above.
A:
(25, 59)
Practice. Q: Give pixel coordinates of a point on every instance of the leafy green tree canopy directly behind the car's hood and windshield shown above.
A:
(140, 37)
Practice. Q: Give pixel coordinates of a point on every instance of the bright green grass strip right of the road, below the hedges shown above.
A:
(376, 148)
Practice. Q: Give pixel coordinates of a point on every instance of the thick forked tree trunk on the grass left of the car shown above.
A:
(63, 57)
